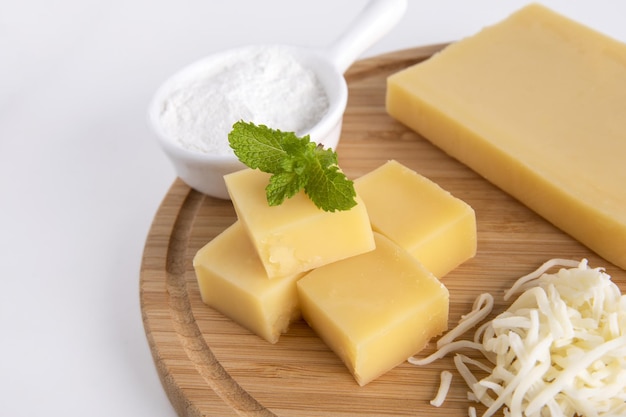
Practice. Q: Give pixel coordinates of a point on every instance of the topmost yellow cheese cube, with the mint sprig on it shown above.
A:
(296, 236)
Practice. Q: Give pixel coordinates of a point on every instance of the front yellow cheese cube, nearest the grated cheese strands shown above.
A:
(374, 310)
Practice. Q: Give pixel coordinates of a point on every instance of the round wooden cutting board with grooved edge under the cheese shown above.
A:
(210, 366)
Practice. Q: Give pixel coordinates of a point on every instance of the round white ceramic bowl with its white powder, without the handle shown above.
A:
(282, 87)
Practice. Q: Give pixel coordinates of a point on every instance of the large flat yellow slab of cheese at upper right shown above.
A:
(535, 104)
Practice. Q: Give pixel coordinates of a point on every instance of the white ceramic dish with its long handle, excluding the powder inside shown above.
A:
(204, 172)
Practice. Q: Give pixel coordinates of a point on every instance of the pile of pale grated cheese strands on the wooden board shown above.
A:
(558, 350)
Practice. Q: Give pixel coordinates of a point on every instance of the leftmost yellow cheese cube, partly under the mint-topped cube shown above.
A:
(232, 280)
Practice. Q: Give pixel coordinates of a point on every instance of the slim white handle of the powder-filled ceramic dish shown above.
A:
(374, 21)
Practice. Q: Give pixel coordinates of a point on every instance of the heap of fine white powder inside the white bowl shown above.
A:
(265, 85)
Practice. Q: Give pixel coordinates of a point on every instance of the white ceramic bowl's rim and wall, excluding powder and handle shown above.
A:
(204, 171)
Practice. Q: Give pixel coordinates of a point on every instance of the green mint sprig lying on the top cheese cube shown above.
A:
(295, 163)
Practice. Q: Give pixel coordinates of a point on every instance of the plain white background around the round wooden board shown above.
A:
(81, 175)
